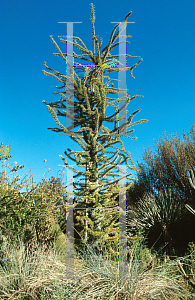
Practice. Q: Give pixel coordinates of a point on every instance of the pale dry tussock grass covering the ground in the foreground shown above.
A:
(41, 274)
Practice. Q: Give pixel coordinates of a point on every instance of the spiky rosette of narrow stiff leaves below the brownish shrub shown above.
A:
(162, 217)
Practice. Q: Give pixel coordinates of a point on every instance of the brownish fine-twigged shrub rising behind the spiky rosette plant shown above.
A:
(168, 167)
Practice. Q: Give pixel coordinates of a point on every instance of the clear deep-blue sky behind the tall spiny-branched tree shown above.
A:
(163, 35)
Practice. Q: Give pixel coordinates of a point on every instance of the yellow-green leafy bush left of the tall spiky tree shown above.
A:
(30, 215)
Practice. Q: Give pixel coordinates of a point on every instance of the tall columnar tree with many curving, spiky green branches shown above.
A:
(89, 113)
